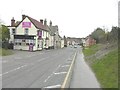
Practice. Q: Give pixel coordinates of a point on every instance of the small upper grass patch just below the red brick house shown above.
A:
(91, 50)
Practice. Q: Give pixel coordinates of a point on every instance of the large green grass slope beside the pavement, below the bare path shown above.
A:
(106, 70)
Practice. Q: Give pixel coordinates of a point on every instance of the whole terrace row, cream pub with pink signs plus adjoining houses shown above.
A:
(30, 34)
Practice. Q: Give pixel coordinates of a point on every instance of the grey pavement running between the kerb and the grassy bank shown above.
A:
(83, 77)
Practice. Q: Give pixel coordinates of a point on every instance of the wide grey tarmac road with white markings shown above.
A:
(36, 69)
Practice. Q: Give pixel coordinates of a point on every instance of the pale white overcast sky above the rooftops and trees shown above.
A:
(75, 18)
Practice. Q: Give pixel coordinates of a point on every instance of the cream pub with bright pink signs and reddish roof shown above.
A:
(28, 34)
